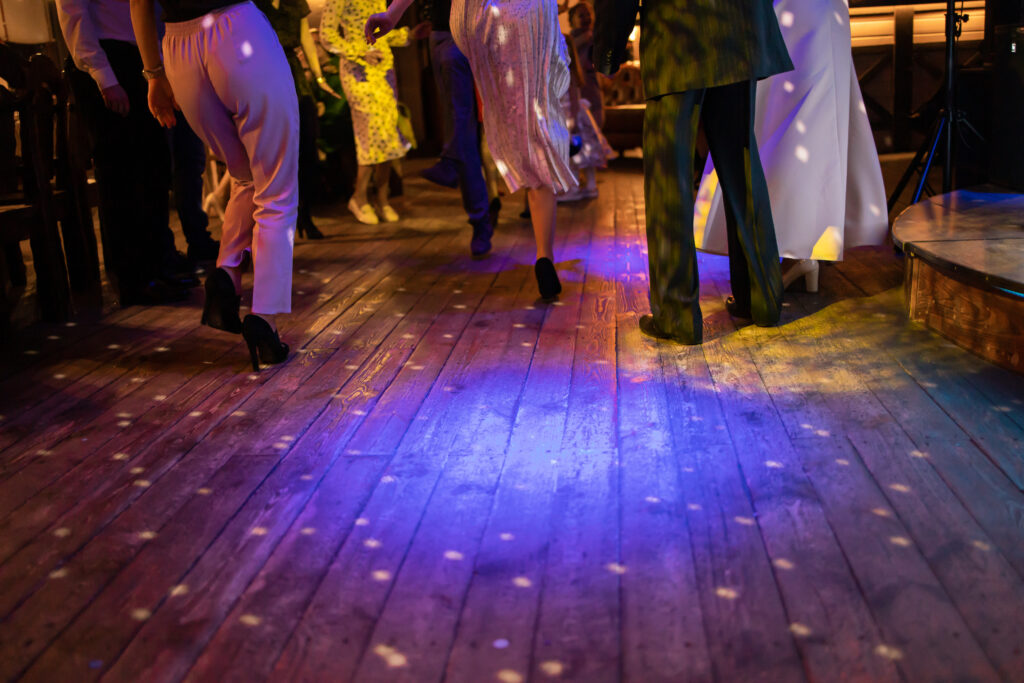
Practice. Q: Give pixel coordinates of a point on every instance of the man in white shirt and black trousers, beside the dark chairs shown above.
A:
(131, 151)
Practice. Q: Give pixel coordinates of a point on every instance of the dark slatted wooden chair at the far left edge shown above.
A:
(51, 207)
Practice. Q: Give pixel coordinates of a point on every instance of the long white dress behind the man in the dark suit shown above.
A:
(824, 176)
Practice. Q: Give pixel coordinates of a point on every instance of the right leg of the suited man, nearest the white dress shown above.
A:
(754, 267)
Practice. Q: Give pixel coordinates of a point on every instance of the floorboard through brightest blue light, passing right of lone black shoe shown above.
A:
(496, 625)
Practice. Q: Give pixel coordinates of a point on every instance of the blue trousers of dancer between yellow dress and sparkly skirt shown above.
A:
(462, 129)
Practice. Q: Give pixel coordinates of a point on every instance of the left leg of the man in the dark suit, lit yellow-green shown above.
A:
(669, 134)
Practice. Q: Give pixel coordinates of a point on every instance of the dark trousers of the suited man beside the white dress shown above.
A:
(669, 138)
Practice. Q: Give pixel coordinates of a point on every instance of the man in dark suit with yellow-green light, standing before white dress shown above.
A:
(701, 61)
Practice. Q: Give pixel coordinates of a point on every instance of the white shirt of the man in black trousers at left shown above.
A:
(84, 24)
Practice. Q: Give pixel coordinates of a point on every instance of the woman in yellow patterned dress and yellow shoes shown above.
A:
(368, 79)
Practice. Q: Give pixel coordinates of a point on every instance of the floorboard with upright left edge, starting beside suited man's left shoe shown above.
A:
(662, 623)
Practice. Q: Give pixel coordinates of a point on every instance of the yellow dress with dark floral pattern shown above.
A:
(367, 77)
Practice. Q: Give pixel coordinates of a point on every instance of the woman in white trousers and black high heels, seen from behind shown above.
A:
(224, 67)
